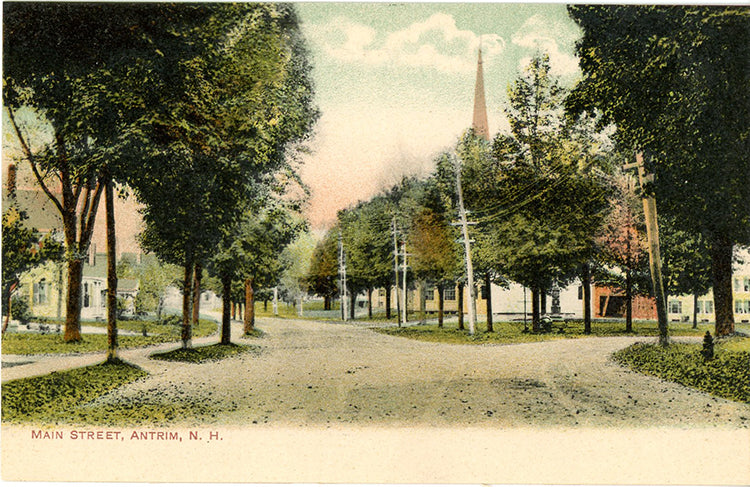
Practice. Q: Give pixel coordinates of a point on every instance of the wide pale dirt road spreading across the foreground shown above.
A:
(313, 373)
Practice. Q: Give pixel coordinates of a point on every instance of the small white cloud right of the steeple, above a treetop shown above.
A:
(538, 34)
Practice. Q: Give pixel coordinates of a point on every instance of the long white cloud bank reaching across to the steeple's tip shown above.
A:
(436, 43)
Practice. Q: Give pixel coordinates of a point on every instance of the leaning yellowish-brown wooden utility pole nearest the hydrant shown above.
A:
(654, 257)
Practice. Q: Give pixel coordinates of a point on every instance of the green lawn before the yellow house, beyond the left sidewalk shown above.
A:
(35, 343)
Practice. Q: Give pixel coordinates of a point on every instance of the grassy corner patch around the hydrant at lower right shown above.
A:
(727, 375)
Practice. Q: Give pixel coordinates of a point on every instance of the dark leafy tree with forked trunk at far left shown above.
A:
(69, 65)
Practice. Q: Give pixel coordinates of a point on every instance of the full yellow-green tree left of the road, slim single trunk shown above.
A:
(224, 127)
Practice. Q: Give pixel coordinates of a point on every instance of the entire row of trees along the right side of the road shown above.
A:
(550, 199)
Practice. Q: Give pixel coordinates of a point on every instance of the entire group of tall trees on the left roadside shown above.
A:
(194, 109)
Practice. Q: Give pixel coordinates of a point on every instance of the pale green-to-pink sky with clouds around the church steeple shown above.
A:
(395, 85)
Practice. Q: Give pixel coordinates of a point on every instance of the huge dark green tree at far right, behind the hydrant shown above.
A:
(674, 79)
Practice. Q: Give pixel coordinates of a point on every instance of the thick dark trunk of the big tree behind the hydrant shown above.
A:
(721, 270)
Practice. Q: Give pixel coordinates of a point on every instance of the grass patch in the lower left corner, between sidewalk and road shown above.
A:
(50, 398)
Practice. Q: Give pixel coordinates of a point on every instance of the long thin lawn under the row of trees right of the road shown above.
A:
(513, 332)
